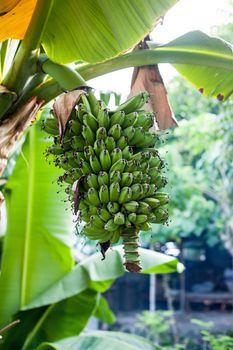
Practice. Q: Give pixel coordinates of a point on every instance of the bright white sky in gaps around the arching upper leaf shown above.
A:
(185, 16)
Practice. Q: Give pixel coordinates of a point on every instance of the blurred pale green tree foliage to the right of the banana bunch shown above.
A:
(199, 157)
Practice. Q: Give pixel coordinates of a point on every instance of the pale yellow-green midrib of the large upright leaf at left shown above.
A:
(29, 216)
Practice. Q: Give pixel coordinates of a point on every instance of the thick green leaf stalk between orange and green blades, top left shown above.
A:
(25, 62)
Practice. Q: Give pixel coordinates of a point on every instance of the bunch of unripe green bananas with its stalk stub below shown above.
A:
(111, 158)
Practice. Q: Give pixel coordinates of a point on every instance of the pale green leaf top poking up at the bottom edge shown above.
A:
(99, 340)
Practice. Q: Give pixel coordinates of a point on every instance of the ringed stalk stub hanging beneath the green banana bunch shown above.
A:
(130, 246)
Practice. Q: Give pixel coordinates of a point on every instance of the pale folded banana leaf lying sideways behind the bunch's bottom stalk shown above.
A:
(99, 275)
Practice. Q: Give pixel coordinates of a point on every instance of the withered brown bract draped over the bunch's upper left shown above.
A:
(63, 107)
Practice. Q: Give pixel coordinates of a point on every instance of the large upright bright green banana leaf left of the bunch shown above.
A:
(36, 251)
